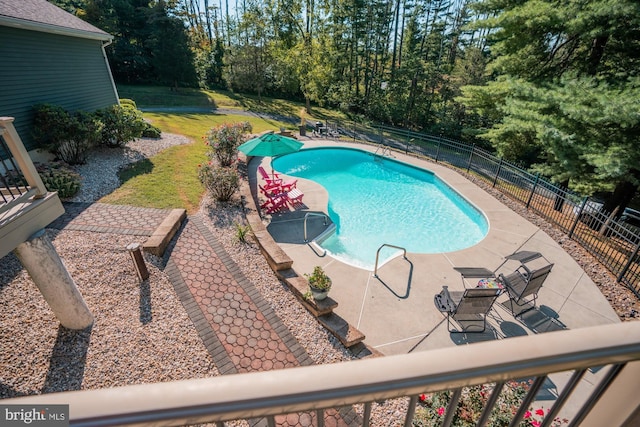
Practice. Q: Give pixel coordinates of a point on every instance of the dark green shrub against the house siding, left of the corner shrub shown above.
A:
(68, 136)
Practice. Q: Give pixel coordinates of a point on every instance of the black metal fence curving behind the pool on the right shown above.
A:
(615, 243)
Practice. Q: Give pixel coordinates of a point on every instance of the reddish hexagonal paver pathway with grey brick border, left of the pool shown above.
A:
(238, 327)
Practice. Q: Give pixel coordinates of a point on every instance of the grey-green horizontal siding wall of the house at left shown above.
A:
(40, 68)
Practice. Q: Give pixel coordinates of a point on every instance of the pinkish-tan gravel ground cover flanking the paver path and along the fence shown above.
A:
(141, 333)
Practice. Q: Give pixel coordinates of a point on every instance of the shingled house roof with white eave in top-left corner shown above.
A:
(40, 15)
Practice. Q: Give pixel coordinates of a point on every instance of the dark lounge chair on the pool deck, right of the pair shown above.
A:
(523, 286)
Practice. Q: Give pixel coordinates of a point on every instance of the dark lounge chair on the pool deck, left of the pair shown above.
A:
(467, 308)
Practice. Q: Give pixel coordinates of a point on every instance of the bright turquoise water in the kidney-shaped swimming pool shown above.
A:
(373, 201)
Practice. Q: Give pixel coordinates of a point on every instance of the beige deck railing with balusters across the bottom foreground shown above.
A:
(613, 349)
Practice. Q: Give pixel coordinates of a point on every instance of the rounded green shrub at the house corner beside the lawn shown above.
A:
(121, 124)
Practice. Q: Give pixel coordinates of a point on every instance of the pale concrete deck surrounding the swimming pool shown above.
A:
(395, 310)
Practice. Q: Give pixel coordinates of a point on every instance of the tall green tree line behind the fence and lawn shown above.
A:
(552, 85)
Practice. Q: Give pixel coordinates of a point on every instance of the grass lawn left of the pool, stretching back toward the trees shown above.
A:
(170, 179)
